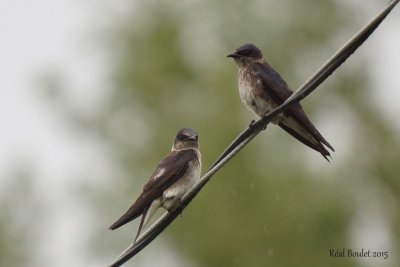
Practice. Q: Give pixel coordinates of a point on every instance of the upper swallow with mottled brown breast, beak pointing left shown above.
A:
(262, 89)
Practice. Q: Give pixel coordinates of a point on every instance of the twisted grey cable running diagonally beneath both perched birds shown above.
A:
(252, 131)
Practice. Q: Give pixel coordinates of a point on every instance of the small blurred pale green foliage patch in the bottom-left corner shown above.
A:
(22, 211)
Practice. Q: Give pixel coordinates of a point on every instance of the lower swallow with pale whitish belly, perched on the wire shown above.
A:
(173, 177)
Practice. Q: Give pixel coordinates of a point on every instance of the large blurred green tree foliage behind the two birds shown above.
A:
(277, 203)
